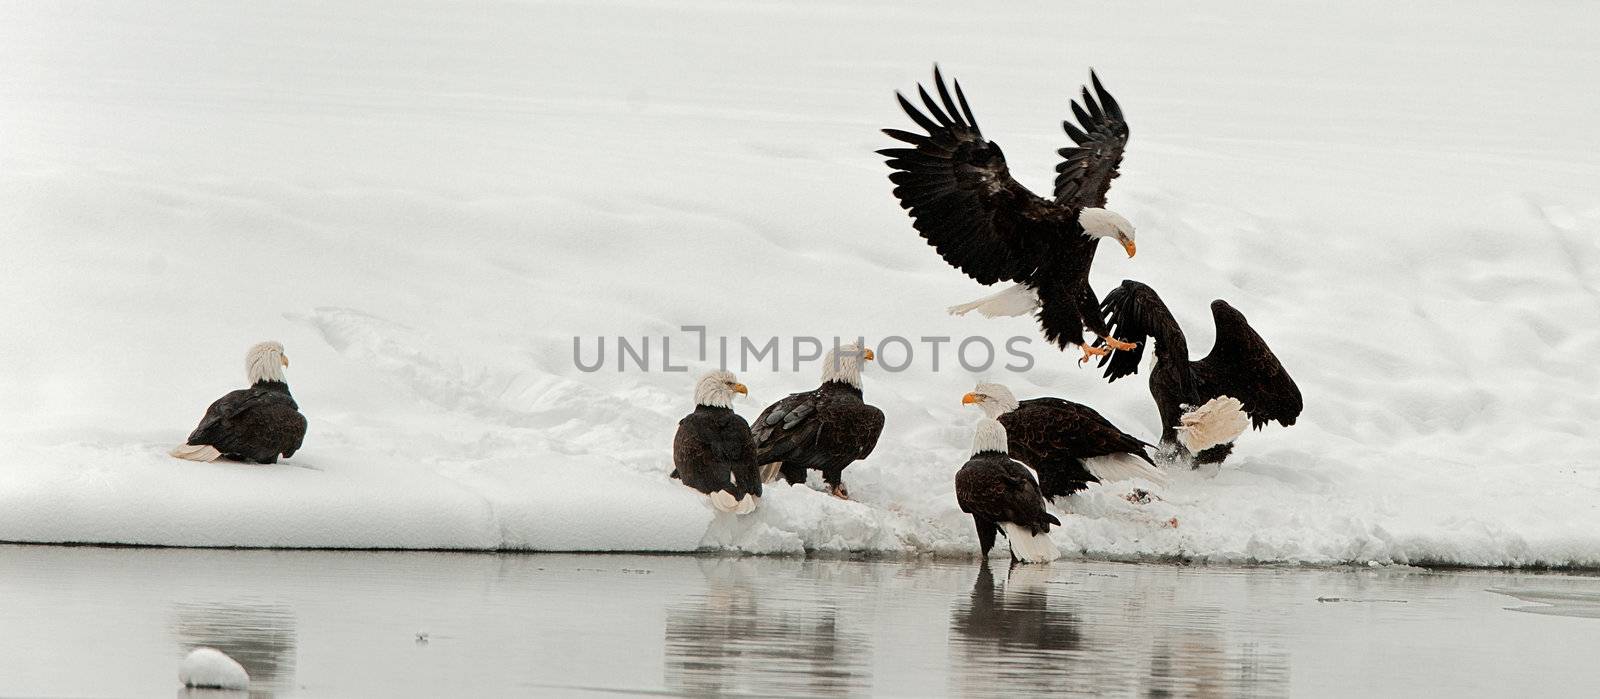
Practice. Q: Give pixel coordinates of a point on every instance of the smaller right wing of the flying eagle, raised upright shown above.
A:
(1086, 172)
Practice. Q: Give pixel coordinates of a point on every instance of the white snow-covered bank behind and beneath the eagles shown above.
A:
(426, 202)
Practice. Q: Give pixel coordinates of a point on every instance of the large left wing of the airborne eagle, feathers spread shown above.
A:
(962, 196)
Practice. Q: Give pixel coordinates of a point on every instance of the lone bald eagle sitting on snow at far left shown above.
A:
(252, 425)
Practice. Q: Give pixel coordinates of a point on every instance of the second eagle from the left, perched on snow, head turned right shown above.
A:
(714, 452)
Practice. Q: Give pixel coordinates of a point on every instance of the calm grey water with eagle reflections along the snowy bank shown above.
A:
(82, 621)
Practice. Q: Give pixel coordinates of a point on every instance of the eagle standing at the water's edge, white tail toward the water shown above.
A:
(1004, 498)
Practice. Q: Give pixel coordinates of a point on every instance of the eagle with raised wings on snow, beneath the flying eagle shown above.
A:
(1241, 373)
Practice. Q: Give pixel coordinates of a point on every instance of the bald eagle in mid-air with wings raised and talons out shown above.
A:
(966, 204)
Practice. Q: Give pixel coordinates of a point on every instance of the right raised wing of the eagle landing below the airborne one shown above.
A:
(1241, 365)
